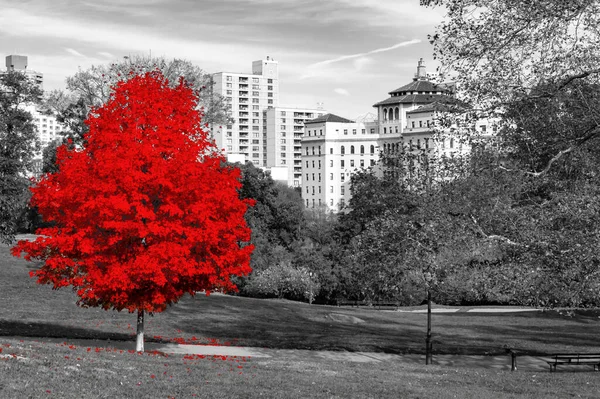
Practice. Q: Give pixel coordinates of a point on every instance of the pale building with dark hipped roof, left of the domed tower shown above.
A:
(332, 149)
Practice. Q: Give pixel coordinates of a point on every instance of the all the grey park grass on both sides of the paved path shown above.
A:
(32, 367)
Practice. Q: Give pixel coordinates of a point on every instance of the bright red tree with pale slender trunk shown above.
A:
(147, 211)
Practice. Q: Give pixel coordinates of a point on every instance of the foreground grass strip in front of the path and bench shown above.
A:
(31, 368)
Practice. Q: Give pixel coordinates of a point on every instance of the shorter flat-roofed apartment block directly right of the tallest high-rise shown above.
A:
(284, 129)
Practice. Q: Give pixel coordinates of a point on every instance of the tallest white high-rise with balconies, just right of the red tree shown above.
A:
(248, 94)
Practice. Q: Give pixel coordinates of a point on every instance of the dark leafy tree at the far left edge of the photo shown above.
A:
(18, 144)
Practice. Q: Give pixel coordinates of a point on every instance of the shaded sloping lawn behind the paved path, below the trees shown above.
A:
(31, 310)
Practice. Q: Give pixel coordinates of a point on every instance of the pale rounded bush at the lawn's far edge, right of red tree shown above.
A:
(282, 281)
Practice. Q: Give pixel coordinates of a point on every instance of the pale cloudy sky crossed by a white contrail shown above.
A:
(345, 54)
